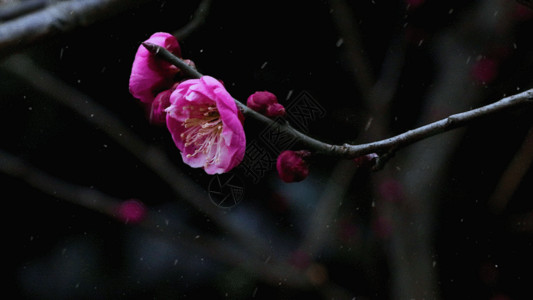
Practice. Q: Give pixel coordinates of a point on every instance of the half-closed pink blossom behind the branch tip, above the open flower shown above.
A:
(151, 75)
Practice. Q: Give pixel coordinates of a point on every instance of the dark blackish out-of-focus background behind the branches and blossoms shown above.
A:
(60, 250)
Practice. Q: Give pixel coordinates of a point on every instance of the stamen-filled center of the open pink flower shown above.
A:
(203, 130)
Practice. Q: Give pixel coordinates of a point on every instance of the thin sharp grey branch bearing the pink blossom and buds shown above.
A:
(383, 146)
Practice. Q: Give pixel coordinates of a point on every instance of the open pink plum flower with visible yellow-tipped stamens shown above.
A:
(204, 122)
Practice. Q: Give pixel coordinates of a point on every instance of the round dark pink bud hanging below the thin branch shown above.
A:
(292, 166)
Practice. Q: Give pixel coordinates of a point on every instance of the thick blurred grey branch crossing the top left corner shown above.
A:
(59, 18)
